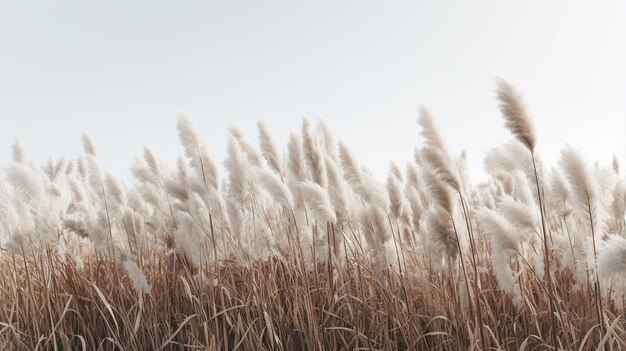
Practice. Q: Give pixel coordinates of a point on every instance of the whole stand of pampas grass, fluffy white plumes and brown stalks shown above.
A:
(306, 250)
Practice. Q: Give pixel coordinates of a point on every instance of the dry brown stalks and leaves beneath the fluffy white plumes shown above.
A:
(277, 305)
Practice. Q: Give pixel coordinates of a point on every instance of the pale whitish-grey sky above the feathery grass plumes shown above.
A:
(123, 69)
